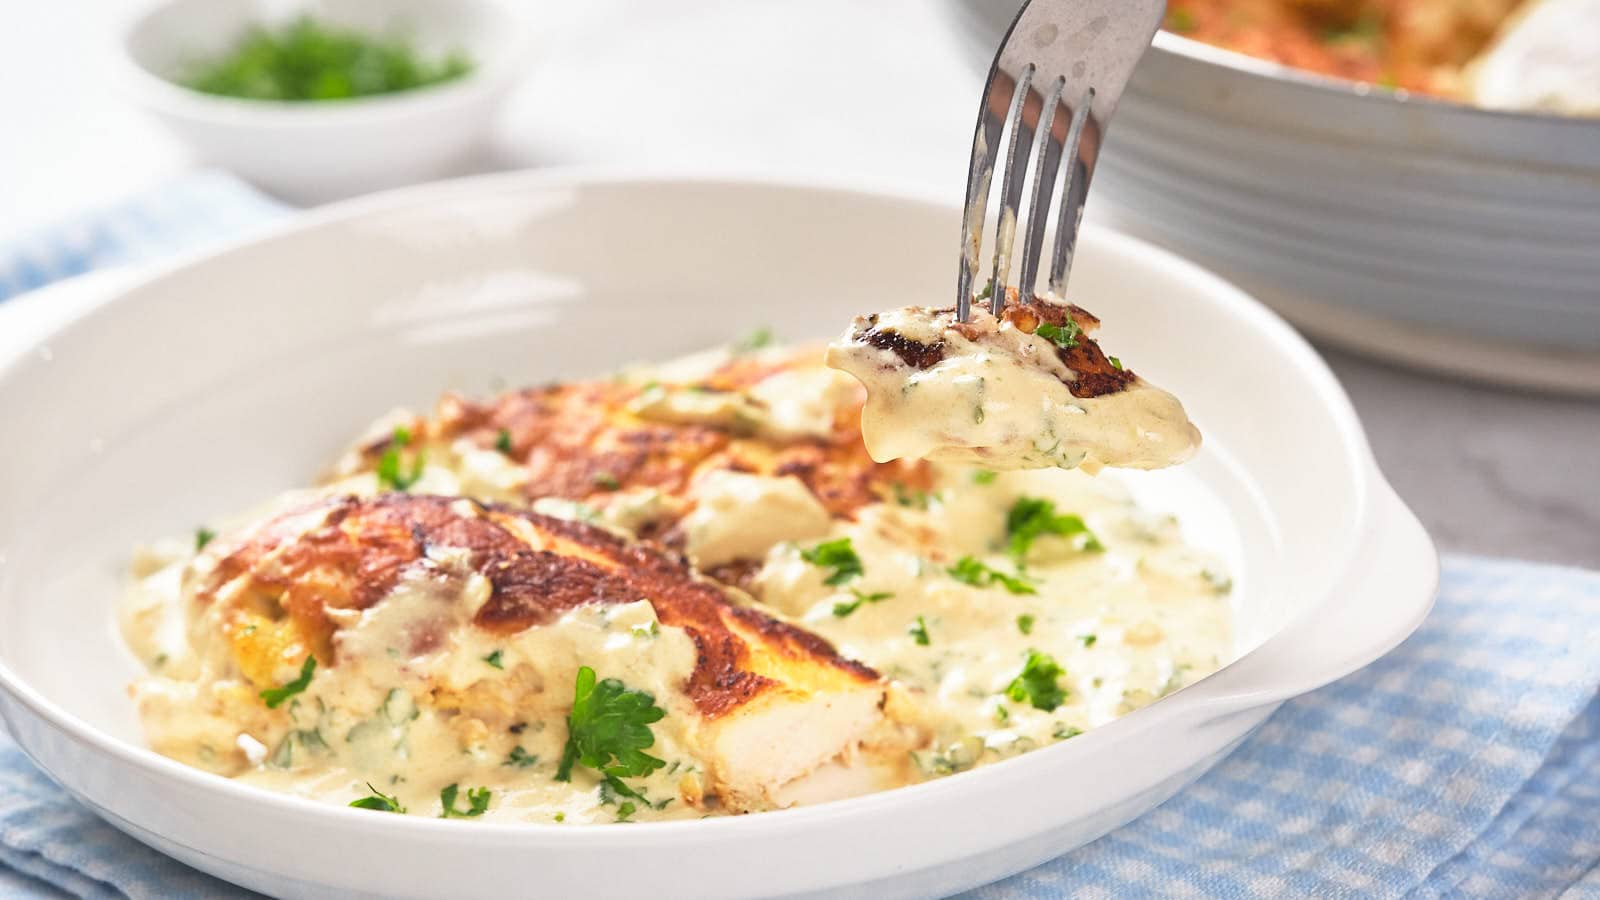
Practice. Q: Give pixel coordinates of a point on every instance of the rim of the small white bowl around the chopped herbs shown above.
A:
(135, 81)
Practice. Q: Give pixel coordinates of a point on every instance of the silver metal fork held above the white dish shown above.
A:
(1057, 76)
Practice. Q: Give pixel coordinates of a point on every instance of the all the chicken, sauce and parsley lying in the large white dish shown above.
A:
(676, 593)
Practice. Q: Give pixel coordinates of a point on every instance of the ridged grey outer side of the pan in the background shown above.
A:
(1474, 230)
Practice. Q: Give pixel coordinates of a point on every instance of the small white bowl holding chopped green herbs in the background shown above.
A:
(318, 151)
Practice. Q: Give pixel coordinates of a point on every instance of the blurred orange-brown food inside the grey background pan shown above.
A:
(1534, 55)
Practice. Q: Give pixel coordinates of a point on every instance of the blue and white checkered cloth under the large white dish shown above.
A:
(1465, 763)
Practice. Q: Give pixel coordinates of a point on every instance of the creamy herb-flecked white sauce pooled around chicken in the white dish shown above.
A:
(1127, 624)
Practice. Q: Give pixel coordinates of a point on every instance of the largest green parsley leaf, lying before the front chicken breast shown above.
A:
(609, 731)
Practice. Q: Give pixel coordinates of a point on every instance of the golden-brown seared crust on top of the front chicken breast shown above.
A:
(537, 566)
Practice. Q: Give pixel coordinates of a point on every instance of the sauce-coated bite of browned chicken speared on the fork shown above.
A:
(1020, 392)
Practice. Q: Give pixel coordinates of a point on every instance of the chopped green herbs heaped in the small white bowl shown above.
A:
(306, 60)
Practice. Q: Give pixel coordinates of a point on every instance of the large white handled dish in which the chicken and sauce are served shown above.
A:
(226, 379)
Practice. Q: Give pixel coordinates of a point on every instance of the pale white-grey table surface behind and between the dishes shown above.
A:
(871, 89)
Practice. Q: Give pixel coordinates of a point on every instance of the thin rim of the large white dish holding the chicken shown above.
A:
(1377, 499)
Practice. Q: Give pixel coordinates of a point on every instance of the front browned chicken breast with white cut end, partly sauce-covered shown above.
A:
(412, 593)
